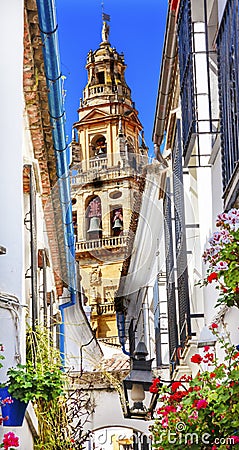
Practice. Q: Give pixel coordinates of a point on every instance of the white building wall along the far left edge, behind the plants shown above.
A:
(12, 274)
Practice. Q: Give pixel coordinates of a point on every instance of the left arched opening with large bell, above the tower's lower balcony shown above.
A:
(93, 218)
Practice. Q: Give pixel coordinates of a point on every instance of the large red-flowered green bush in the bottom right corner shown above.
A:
(201, 412)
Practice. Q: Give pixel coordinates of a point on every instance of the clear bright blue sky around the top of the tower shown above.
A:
(136, 28)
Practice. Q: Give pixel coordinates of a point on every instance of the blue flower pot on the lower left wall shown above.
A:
(15, 411)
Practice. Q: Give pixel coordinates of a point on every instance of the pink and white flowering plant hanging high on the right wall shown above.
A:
(222, 257)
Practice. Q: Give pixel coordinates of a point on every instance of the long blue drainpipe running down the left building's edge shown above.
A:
(48, 27)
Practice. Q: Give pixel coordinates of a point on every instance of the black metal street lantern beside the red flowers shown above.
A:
(140, 403)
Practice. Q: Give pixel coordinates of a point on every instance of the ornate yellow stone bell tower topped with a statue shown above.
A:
(107, 162)
